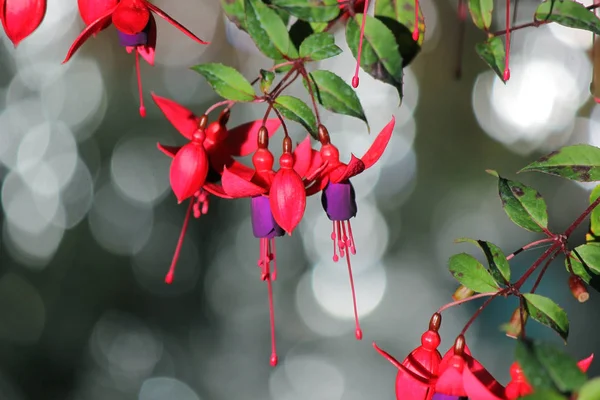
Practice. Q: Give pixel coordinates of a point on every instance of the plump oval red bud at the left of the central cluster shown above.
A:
(188, 170)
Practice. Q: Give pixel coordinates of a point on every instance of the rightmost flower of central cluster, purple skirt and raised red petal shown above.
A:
(338, 198)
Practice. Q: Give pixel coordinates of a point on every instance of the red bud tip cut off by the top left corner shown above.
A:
(21, 17)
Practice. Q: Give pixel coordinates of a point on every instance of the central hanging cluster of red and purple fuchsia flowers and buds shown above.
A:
(206, 166)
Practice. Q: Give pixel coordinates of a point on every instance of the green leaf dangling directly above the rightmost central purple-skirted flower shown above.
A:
(336, 95)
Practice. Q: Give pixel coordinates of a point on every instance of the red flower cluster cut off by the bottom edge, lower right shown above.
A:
(426, 375)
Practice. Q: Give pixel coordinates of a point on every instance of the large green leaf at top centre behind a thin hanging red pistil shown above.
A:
(380, 56)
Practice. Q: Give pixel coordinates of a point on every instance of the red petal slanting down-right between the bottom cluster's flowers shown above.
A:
(479, 383)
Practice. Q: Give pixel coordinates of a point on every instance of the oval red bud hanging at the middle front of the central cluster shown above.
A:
(288, 199)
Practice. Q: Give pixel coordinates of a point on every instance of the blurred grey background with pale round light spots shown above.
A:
(89, 223)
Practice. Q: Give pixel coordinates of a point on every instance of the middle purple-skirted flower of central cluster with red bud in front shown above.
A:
(277, 202)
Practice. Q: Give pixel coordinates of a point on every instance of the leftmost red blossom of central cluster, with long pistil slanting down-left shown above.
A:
(198, 164)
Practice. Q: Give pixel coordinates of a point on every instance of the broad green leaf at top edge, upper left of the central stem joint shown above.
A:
(267, 30)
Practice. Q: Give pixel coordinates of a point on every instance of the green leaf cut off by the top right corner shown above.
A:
(568, 13)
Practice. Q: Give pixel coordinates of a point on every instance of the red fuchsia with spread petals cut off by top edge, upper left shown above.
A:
(135, 25)
